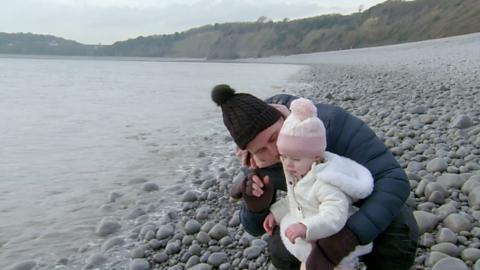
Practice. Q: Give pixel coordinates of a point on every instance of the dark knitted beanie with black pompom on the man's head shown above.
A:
(244, 115)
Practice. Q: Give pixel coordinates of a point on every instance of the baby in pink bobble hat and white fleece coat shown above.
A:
(322, 186)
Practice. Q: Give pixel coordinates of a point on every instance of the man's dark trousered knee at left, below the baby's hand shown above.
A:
(279, 255)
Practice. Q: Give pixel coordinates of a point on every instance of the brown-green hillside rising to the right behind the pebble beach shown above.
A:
(391, 22)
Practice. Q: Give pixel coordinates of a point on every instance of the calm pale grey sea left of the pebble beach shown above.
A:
(72, 131)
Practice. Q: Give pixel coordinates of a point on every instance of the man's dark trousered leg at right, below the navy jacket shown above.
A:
(396, 247)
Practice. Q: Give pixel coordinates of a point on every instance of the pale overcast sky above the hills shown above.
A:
(108, 21)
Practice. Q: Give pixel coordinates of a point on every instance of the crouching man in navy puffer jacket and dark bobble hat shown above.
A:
(382, 218)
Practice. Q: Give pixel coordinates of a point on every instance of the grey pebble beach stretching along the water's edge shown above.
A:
(422, 99)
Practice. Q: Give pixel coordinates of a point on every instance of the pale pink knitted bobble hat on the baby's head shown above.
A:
(303, 133)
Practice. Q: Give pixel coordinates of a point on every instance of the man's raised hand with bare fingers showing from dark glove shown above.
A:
(256, 192)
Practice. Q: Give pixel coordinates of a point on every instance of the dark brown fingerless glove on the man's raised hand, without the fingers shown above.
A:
(244, 189)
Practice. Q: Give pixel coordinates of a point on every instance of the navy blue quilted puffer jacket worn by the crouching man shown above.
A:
(348, 136)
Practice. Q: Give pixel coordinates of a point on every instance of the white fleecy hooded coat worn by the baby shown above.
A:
(322, 201)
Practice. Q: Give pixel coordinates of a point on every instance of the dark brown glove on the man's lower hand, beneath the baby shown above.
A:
(328, 252)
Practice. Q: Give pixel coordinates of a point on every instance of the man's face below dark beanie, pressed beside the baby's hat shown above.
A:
(264, 146)
